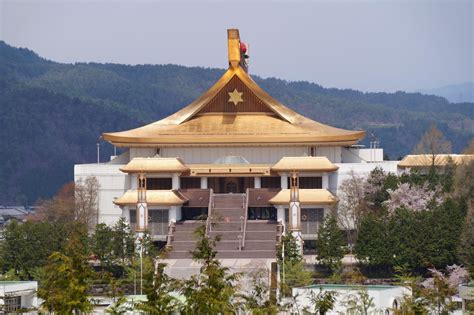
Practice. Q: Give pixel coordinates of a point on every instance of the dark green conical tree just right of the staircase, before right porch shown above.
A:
(330, 243)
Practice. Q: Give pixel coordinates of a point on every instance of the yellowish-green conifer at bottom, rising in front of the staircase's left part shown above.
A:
(213, 290)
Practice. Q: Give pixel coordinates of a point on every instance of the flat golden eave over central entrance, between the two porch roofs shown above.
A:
(219, 170)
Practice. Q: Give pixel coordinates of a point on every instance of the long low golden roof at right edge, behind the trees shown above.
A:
(426, 160)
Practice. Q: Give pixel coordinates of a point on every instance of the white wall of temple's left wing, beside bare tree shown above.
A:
(113, 184)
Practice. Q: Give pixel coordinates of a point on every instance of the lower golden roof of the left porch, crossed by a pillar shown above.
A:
(153, 197)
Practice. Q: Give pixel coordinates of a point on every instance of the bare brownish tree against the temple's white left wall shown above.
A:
(86, 208)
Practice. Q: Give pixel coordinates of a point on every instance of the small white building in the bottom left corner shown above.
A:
(15, 295)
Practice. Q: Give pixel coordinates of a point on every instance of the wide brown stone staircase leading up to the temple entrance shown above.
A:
(228, 214)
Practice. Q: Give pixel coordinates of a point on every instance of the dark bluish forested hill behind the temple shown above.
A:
(51, 114)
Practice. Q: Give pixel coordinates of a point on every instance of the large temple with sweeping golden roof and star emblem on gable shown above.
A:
(229, 158)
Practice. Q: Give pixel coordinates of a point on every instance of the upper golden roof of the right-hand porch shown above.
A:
(304, 164)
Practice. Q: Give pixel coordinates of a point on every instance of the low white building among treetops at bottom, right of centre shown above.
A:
(385, 298)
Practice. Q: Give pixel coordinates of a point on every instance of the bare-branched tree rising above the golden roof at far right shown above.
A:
(433, 143)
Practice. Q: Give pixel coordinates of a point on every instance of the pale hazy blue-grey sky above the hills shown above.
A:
(367, 45)
